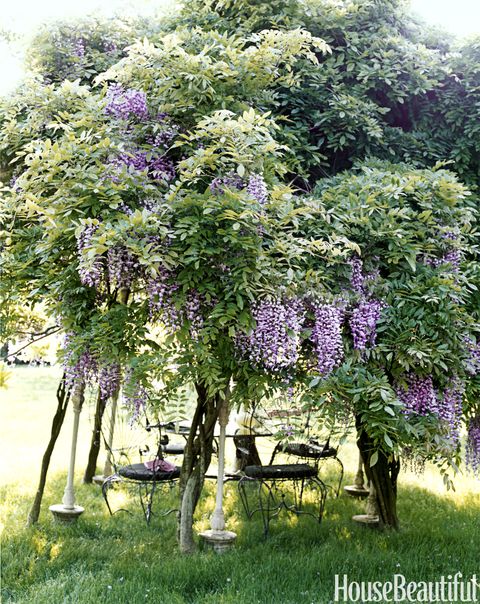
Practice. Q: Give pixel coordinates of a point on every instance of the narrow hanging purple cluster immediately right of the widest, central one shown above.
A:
(327, 337)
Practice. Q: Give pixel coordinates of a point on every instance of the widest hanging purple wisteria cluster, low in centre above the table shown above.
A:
(275, 341)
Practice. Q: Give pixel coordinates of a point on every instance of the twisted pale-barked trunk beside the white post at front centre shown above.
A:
(196, 459)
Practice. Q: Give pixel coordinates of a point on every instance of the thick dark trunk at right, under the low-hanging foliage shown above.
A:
(383, 475)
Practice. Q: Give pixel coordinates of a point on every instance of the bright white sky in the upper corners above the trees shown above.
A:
(461, 17)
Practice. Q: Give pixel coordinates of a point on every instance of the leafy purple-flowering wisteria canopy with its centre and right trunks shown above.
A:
(155, 209)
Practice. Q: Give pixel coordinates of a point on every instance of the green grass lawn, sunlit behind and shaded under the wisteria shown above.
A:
(119, 559)
